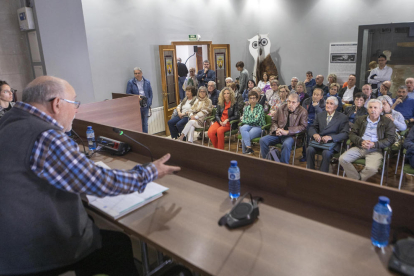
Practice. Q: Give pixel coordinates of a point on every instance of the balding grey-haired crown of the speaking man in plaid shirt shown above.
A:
(43, 89)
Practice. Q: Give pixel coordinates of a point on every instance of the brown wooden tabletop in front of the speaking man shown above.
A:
(293, 238)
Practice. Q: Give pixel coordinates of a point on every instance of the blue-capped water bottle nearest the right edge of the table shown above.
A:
(380, 232)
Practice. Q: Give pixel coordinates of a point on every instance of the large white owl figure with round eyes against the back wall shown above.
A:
(259, 48)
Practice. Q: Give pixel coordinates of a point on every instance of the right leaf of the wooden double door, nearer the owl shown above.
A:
(220, 55)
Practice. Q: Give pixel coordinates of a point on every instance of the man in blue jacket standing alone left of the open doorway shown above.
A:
(142, 87)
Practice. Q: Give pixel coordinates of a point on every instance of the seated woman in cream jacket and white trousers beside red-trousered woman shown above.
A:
(199, 111)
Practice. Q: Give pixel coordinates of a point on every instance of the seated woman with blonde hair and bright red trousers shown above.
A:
(227, 111)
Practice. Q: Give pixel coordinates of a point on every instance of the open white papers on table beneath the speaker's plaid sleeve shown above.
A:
(120, 205)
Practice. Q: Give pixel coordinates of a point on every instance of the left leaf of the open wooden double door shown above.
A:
(169, 79)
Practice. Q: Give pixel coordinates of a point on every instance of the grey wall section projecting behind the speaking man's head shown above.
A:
(65, 50)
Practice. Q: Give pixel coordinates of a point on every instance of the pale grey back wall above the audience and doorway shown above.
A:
(124, 34)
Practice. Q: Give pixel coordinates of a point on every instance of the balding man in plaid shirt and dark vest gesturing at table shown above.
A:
(45, 229)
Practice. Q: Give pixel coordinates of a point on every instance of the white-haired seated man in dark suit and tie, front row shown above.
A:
(329, 126)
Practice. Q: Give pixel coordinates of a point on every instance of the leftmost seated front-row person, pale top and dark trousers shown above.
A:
(177, 123)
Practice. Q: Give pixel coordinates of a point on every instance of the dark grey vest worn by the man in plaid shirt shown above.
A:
(41, 227)
